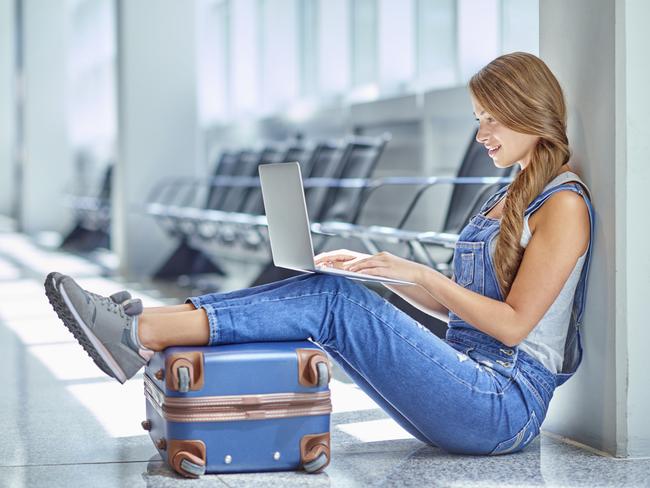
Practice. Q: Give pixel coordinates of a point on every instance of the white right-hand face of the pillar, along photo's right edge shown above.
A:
(634, 136)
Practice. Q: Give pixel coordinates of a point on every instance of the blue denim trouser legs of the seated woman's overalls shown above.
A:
(437, 390)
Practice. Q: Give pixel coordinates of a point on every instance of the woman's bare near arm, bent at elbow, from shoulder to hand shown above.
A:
(560, 236)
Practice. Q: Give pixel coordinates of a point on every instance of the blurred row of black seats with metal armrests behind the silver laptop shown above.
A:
(227, 208)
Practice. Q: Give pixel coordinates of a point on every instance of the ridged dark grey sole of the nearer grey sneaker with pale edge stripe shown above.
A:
(91, 344)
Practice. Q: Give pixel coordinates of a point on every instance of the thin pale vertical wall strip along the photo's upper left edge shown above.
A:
(7, 106)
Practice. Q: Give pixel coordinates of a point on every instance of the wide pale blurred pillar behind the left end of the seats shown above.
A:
(157, 120)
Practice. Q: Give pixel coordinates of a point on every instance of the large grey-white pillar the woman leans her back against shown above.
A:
(595, 47)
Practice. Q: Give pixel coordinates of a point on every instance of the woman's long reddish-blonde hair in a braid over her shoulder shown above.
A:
(519, 90)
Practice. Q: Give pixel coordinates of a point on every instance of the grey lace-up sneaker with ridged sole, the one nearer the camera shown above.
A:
(100, 325)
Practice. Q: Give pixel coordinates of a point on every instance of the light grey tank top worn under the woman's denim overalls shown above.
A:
(546, 341)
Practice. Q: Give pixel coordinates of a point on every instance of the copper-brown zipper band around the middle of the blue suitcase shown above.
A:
(236, 407)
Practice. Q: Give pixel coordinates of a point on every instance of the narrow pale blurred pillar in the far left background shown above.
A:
(47, 168)
